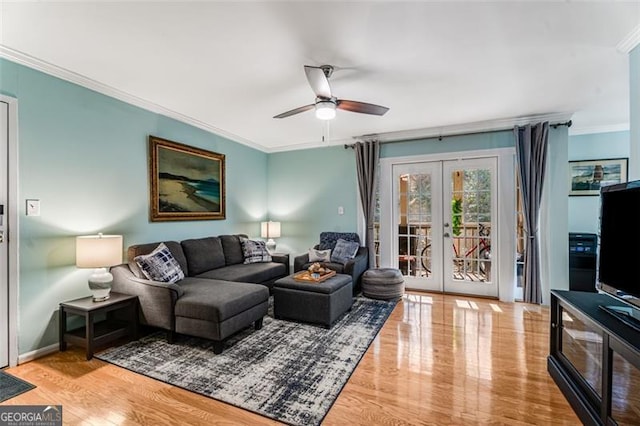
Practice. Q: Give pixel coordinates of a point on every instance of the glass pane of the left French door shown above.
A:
(414, 227)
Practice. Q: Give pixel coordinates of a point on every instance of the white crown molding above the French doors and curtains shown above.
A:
(467, 128)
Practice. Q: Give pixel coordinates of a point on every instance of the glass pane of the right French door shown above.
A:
(471, 224)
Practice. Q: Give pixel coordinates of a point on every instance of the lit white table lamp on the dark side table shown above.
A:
(99, 252)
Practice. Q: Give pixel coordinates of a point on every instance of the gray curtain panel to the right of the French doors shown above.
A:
(531, 151)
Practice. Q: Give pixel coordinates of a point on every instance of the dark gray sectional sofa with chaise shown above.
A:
(219, 295)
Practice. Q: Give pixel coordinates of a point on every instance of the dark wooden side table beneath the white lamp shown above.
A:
(104, 330)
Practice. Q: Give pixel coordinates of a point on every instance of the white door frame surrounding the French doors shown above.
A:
(506, 209)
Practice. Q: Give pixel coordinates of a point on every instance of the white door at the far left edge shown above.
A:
(4, 247)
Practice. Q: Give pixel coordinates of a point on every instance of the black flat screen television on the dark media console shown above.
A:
(619, 254)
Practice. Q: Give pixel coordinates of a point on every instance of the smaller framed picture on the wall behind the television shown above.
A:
(588, 176)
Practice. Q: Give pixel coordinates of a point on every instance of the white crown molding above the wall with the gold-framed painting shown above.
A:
(81, 80)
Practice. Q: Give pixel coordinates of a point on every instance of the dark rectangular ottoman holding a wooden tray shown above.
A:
(319, 303)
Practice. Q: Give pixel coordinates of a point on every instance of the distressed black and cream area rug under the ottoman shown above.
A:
(287, 371)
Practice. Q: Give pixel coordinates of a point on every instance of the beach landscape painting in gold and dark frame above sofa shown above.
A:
(187, 183)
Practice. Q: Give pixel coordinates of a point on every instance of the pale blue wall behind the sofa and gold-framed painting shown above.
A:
(84, 155)
